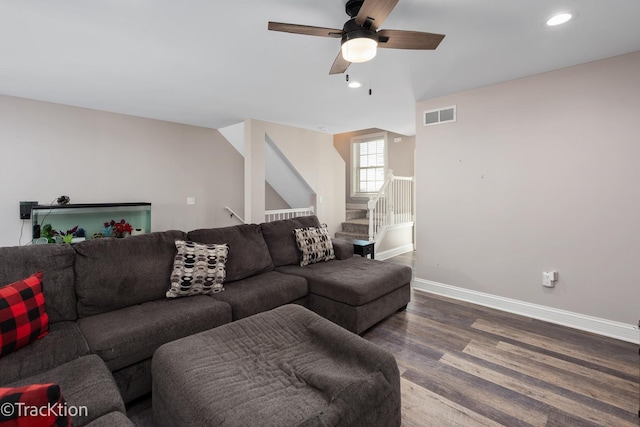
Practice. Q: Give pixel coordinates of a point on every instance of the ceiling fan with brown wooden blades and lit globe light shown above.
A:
(360, 35)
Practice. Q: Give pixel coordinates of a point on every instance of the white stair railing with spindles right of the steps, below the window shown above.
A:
(392, 205)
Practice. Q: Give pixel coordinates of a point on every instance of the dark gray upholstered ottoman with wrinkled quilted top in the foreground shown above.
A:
(284, 367)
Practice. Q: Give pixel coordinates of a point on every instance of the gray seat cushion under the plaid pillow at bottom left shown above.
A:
(86, 383)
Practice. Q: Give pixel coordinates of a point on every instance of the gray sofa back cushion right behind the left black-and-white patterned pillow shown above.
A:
(248, 252)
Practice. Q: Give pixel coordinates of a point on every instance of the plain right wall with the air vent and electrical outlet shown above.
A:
(537, 174)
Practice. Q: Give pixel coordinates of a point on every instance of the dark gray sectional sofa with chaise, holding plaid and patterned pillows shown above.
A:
(108, 311)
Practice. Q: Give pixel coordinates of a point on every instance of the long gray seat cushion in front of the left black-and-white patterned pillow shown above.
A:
(131, 334)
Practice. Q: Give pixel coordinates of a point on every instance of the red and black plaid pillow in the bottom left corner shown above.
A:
(36, 405)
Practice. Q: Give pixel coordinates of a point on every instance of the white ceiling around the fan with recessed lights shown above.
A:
(213, 63)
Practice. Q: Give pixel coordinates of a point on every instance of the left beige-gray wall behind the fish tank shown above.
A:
(94, 156)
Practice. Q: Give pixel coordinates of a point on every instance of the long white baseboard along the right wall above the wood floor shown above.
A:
(608, 328)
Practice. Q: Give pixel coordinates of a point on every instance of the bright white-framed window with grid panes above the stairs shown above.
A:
(369, 163)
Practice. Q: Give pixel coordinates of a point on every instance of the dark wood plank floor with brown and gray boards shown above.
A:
(467, 365)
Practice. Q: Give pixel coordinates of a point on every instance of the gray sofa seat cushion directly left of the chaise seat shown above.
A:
(261, 293)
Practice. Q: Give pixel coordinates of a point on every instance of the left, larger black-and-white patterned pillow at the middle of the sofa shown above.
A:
(198, 269)
